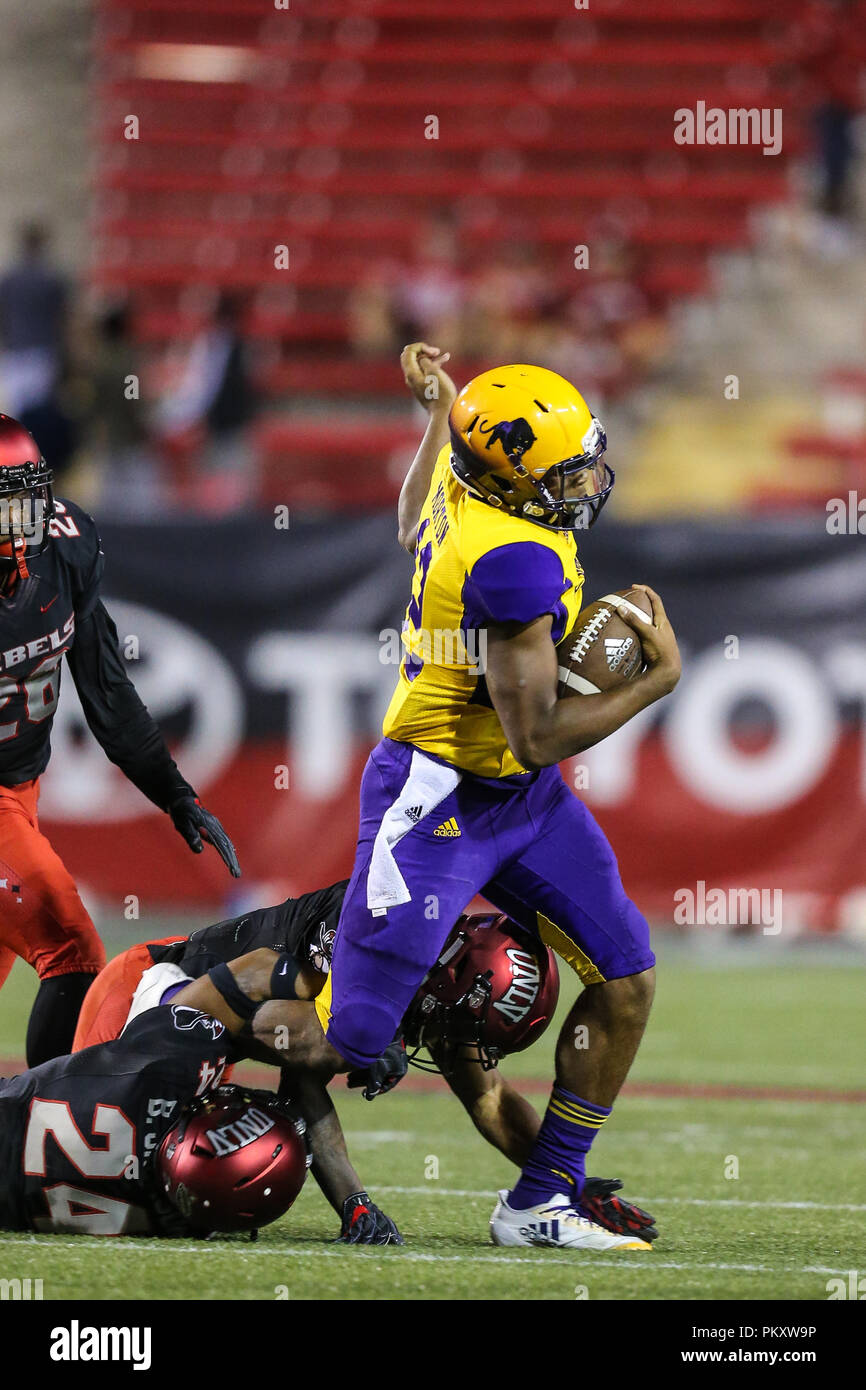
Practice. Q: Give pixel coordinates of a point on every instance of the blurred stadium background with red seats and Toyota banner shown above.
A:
(248, 209)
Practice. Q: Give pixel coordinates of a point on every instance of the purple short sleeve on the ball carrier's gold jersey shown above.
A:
(516, 584)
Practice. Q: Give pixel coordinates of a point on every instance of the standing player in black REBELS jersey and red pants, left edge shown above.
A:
(51, 572)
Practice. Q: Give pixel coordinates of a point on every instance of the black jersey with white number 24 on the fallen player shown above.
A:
(77, 1134)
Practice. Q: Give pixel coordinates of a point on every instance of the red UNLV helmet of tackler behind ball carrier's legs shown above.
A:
(494, 988)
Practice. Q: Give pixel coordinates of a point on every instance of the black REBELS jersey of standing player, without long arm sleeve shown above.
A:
(37, 629)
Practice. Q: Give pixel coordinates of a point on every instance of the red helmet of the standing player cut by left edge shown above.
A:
(27, 501)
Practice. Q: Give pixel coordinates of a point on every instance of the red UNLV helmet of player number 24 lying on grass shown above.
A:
(234, 1161)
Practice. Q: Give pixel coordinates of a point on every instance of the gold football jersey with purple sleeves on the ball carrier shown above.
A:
(475, 566)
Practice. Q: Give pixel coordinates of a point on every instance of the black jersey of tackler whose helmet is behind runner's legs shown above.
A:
(305, 928)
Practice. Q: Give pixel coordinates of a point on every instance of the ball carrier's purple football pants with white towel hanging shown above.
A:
(430, 840)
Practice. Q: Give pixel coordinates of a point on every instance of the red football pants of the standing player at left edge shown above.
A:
(42, 918)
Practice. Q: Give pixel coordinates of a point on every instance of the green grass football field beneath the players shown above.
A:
(755, 1020)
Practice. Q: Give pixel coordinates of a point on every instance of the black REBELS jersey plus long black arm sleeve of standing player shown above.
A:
(58, 612)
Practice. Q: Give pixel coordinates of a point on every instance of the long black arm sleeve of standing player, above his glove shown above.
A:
(115, 712)
